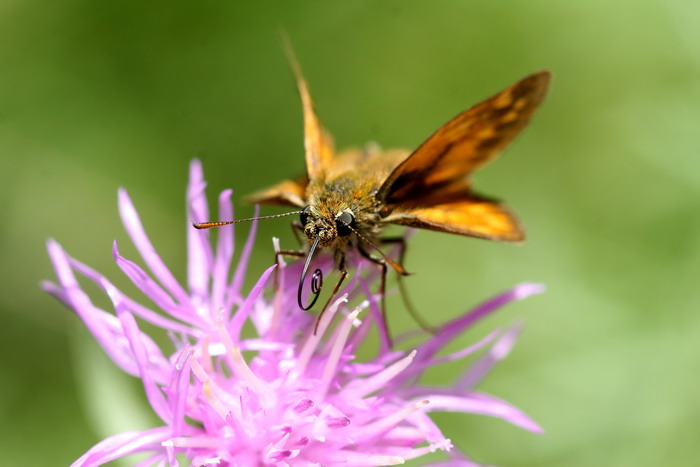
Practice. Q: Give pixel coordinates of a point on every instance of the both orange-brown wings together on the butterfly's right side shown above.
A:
(431, 189)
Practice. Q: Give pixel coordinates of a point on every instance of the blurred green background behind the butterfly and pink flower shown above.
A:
(97, 95)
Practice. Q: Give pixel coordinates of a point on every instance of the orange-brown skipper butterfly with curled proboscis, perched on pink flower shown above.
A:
(347, 198)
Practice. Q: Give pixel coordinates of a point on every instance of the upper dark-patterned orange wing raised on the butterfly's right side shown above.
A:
(465, 143)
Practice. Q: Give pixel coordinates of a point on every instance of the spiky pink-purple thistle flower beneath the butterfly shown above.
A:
(286, 396)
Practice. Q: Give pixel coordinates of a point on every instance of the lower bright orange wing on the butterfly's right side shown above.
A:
(472, 216)
